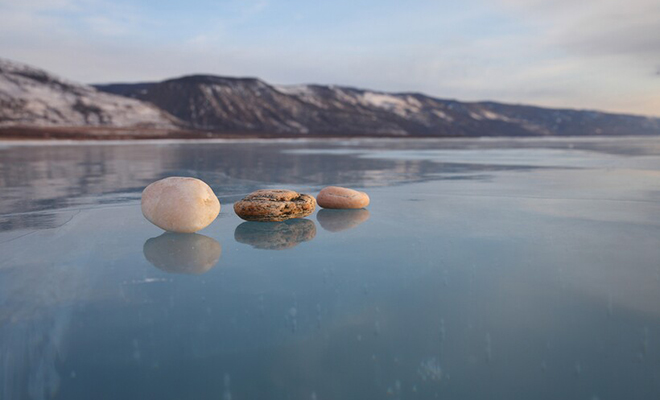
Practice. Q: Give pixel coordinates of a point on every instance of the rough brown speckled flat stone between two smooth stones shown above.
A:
(274, 205)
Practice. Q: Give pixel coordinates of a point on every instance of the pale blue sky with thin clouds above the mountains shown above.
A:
(585, 54)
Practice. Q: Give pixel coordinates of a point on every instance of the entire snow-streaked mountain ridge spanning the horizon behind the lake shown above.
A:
(207, 105)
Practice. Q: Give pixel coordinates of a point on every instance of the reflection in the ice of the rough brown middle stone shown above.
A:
(275, 235)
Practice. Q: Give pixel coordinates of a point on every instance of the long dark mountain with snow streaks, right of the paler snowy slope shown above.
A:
(251, 105)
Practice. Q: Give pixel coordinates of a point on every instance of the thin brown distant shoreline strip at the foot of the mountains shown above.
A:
(94, 134)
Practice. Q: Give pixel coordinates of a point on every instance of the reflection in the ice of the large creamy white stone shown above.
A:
(182, 253)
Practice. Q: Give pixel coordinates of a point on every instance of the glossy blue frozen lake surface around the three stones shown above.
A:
(483, 269)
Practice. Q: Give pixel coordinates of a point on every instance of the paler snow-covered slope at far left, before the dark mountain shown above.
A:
(33, 97)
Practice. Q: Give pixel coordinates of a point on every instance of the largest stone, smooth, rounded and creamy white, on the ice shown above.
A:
(178, 204)
